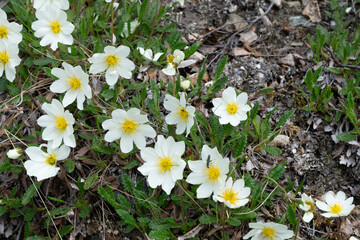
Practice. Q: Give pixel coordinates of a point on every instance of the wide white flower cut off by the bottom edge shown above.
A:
(268, 231)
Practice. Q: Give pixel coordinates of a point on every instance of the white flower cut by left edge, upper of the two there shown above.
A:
(9, 32)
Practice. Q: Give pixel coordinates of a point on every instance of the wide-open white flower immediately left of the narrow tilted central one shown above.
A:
(130, 127)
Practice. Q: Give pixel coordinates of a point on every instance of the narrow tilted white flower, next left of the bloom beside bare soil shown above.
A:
(180, 114)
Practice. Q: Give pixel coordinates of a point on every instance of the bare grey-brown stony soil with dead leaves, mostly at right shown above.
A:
(311, 152)
